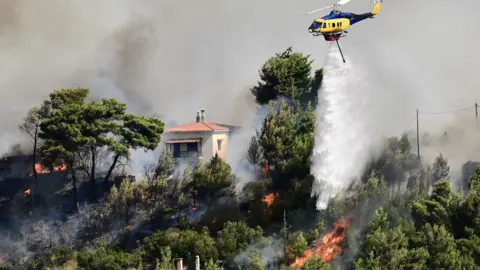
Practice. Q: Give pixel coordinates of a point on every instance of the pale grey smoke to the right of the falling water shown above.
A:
(428, 69)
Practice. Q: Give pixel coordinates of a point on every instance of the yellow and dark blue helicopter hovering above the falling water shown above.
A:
(334, 25)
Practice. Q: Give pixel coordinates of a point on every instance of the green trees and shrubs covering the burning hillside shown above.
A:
(401, 215)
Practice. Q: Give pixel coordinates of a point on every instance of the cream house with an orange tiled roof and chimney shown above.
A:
(198, 140)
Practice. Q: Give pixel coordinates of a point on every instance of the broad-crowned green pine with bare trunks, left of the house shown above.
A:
(76, 131)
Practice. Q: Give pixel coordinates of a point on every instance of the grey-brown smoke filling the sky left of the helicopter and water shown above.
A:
(160, 57)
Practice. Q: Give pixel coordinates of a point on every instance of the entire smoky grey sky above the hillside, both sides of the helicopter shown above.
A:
(174, 57)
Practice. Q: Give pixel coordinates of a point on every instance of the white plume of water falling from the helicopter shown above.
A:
(341, 140)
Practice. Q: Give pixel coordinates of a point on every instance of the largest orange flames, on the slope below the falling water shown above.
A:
(330, 247)
